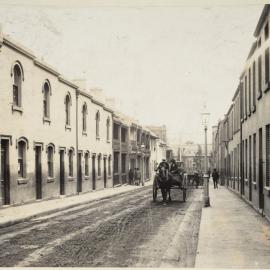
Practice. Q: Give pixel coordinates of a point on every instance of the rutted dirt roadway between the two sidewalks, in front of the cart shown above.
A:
(128, 230)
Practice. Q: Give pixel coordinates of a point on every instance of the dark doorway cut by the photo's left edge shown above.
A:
(5, 173)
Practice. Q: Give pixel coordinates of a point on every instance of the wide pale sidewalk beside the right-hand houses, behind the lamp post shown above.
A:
(232, 234)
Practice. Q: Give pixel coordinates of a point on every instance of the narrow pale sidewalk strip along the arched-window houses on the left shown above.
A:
(12, 215)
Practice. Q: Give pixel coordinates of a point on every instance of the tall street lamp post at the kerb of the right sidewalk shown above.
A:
(205, 119)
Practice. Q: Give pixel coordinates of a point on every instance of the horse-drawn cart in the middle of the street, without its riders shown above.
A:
(173, 181)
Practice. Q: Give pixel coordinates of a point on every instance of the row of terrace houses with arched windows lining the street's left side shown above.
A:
(56, 138)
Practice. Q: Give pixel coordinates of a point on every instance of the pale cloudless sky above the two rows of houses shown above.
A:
(163, 61)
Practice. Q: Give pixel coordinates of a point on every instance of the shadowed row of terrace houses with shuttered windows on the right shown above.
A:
(242, 139)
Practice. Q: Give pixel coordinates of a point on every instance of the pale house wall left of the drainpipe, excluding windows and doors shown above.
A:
(29, 124)
